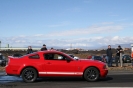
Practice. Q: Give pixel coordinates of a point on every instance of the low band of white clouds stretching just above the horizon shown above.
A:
(91, 42)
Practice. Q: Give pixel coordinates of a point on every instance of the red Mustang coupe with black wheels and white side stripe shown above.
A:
(54, 64)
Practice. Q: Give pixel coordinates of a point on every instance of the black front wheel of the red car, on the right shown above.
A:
(91, 74)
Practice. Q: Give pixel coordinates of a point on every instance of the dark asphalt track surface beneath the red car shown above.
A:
(113, 79)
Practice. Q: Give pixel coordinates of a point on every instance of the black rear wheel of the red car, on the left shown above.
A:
(29, 75)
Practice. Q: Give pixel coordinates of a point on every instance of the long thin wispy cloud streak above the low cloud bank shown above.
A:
(101, 28)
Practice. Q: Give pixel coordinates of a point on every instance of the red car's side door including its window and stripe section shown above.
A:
(59, 65)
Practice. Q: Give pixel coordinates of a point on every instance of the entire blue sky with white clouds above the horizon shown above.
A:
(66, 23)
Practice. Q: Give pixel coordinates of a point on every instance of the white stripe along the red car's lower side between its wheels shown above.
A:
(63, 73)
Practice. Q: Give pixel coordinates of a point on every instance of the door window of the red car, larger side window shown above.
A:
(54, 57)
